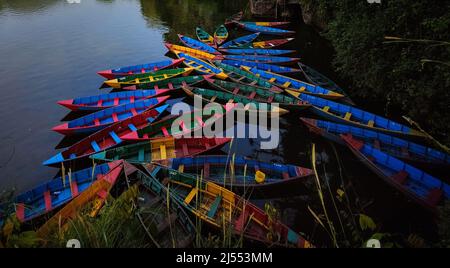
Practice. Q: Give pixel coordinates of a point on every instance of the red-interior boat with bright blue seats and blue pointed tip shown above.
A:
(106, 138)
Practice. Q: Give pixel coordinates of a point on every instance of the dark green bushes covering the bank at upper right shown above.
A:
(408, 76)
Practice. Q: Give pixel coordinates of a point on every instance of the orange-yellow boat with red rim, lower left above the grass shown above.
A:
(96, 194)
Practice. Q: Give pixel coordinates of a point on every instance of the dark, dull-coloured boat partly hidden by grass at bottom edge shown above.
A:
(171, 225)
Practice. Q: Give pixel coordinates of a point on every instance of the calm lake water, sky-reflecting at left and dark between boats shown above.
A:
(50, 50)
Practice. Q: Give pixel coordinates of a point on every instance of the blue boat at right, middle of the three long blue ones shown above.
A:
(394, 146)
